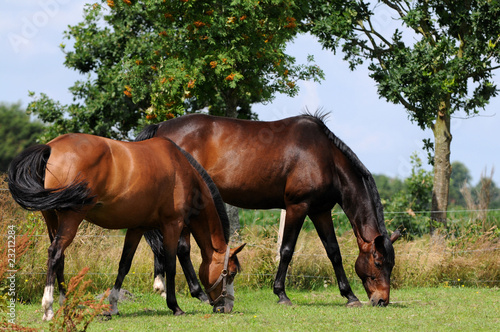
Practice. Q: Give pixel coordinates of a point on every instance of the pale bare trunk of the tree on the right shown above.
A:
(442, 166)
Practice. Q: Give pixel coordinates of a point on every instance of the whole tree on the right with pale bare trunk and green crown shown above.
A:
(440, 63)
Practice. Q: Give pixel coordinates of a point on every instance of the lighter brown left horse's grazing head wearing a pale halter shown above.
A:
(218, 275)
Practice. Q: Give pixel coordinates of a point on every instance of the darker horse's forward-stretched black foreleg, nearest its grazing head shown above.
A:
(324, 227)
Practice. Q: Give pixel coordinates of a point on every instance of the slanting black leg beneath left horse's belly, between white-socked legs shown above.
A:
(132, 239)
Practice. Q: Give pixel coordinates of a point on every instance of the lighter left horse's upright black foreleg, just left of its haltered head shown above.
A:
(170, 240)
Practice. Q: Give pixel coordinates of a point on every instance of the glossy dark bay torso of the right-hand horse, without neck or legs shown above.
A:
(254, 162)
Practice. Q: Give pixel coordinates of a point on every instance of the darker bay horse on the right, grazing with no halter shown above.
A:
(299, 165)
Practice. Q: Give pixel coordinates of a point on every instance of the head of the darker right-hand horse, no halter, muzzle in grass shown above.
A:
(374, 266)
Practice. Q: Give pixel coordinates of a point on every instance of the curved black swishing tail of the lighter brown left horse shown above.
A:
(26, 177)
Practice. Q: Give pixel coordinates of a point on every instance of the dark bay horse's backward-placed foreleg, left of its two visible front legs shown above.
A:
(294, 219)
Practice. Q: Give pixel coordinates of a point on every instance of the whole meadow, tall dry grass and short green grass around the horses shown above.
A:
(446, 281)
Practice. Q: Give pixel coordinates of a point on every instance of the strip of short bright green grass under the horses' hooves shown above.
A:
(411, 309)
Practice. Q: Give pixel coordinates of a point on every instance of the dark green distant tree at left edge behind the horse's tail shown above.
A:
(17, 132)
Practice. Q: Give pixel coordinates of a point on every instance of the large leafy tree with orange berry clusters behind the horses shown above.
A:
(148, 61)
